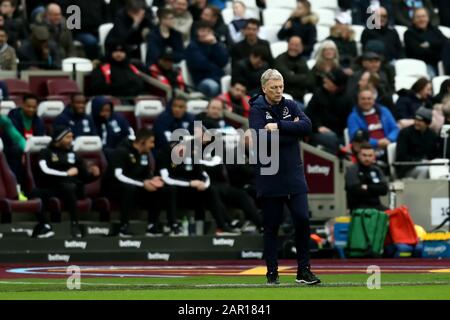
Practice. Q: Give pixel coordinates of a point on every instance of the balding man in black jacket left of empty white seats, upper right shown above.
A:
(393, 47)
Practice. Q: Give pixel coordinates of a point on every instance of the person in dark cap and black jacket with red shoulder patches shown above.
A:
(117, 76)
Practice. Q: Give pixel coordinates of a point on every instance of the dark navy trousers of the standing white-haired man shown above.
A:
(272, 208)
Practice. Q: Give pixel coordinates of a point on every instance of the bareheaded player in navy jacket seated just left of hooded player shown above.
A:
(74, 117)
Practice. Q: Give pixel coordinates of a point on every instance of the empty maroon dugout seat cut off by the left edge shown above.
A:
(9, 202)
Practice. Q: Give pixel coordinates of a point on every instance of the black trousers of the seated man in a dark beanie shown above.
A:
(68, 192)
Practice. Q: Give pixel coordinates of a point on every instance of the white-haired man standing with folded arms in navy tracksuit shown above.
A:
(272, 114)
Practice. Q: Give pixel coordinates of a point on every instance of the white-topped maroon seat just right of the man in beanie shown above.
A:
(90, 149)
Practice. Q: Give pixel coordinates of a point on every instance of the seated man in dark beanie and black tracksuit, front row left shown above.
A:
(62, 174)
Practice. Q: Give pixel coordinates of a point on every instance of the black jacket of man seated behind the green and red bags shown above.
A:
(377, 186)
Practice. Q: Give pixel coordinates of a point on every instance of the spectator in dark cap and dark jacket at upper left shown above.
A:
(39, 51)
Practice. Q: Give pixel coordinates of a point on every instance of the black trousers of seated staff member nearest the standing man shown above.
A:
(239, 199)
